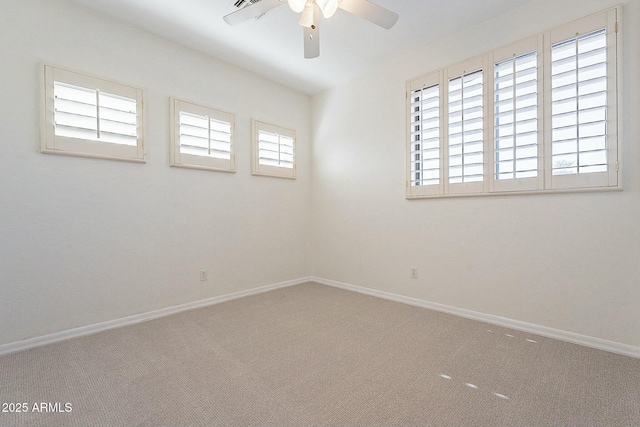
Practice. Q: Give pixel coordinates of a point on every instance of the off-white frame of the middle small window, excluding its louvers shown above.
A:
(184, 160)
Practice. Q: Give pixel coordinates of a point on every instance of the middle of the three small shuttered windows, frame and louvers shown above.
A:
(203, 138)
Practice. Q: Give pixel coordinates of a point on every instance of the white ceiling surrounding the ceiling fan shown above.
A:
(272, 45)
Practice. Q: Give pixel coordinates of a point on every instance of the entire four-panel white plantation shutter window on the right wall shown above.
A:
(545, 117)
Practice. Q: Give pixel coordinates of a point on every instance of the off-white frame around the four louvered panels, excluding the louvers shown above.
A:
(544, 182)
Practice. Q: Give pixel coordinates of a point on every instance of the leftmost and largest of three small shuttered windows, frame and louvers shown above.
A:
(89, 116)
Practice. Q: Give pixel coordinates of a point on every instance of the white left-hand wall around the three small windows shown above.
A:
(84, 241)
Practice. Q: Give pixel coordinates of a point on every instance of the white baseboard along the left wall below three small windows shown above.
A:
(139, 318)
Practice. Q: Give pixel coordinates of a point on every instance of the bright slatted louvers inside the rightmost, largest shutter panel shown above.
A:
(579, 104)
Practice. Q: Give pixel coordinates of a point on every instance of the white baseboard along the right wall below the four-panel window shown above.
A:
(587, 341)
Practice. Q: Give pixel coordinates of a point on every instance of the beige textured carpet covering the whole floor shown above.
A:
(312, 355)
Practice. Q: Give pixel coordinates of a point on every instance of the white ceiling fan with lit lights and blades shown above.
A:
(310, 11)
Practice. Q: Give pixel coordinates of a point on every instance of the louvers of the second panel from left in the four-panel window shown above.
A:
(466, 128)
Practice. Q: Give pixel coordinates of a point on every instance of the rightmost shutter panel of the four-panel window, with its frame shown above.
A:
(583, 128)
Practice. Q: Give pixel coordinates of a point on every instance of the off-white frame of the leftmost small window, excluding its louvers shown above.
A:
(51, 143)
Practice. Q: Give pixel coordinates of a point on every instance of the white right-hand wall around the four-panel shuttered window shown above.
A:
(566, 261)
